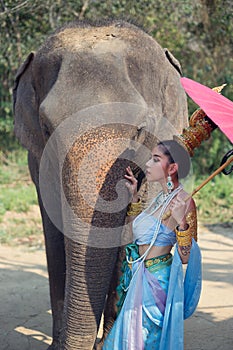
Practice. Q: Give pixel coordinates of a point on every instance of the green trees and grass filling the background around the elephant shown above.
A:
(198, 33)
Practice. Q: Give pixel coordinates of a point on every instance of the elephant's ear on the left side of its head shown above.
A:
(25, 107)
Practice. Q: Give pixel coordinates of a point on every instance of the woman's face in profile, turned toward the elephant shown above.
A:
(157, 167)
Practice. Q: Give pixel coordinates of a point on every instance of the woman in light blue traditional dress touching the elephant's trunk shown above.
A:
(154, 297)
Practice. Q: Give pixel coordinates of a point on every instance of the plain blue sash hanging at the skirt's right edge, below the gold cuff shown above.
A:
(182, 298)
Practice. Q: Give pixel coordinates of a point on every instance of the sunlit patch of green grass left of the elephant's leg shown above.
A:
(20, 220)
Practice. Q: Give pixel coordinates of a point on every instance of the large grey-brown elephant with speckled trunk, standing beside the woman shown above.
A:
(104, 89)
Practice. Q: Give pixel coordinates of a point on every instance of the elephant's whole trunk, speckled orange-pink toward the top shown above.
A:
(93, 225)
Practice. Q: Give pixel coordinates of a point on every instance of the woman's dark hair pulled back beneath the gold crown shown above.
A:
(176, 154)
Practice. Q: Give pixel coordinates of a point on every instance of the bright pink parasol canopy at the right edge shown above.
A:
(217, 107)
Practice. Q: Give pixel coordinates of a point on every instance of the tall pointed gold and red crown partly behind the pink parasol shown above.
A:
(199, 129)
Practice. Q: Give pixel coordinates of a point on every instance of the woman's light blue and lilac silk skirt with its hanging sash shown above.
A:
(156, 303)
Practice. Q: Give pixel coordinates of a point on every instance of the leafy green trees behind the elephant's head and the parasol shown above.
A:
(198, 33)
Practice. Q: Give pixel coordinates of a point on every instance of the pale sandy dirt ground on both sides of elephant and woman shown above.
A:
(25, 318)
